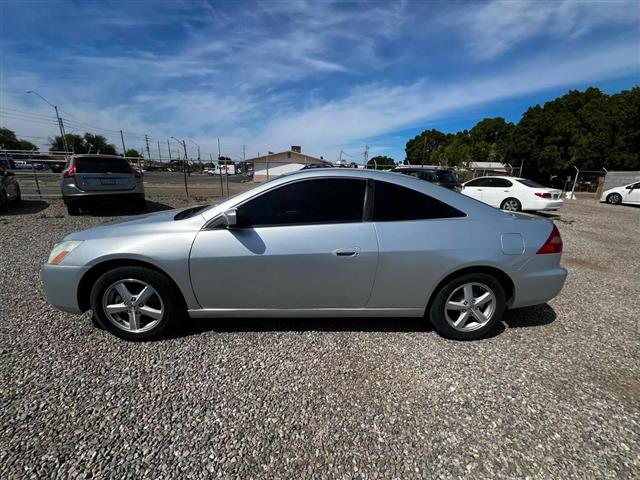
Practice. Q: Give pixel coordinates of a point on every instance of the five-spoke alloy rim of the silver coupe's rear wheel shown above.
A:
(470, 307)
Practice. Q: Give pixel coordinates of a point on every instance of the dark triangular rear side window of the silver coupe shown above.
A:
(393, 203)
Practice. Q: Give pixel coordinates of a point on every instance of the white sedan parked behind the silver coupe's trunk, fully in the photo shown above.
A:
(512, 193)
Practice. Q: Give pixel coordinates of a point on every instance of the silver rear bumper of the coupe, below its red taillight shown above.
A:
(537, 283)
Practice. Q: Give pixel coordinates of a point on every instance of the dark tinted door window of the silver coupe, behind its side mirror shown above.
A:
(327, 200)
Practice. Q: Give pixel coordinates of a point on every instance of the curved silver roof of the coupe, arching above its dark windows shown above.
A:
(471, 207)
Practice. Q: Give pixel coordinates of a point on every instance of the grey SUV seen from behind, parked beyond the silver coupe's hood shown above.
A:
(104, 178)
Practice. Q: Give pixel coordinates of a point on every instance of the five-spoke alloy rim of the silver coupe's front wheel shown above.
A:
(133, 305)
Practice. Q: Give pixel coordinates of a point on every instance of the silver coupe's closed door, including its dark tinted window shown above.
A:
(301, 245)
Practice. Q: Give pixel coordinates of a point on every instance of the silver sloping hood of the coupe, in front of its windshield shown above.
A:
(157, 222)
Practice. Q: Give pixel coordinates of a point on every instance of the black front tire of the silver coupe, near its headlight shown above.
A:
(154, 317)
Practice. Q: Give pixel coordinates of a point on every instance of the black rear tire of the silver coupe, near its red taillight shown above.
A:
(454, 293)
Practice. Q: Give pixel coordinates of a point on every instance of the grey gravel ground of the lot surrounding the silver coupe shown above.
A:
(555, 394)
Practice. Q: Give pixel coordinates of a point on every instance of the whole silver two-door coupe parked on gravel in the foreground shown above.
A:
(317, 243)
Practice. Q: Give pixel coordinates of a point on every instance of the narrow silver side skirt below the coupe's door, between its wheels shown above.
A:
(304, 312)
